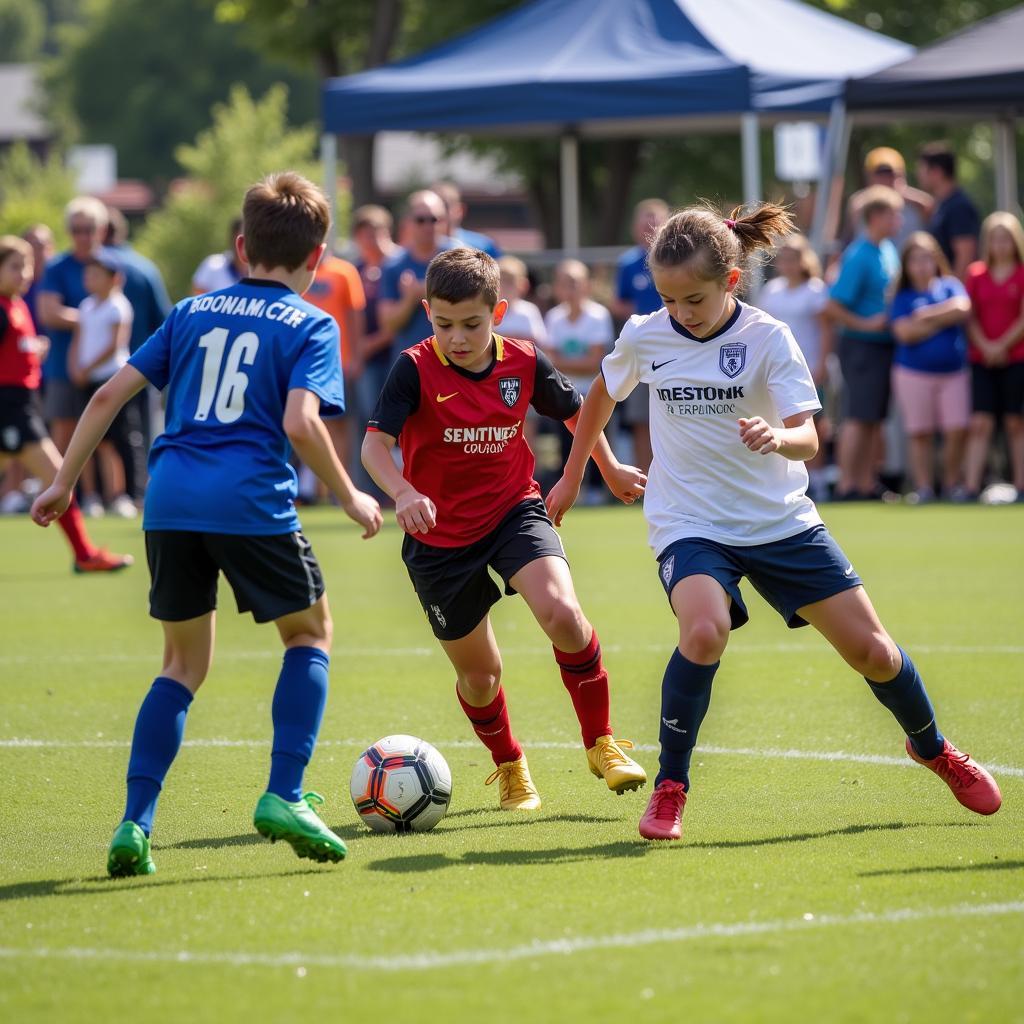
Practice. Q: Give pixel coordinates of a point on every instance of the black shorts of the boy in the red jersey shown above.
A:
(454, 585)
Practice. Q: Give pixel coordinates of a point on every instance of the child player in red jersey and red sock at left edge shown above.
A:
(23, 434)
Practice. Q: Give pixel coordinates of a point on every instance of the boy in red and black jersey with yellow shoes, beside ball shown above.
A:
(467, 500)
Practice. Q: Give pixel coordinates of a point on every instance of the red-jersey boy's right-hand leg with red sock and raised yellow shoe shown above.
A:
(546, 586)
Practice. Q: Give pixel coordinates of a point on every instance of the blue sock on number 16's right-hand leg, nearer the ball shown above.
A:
(297, 710)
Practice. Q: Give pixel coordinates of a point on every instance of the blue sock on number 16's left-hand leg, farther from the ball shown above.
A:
(159, 729)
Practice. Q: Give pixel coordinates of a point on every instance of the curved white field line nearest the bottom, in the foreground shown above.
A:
(430, 961)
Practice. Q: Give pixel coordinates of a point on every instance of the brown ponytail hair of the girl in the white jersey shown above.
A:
(721, 243)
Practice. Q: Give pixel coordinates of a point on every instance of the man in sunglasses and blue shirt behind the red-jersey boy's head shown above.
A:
(402, 293)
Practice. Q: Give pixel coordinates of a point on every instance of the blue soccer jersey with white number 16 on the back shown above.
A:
(229, 360)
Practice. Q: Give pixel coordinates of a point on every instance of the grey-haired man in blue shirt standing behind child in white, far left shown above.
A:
(61, 293)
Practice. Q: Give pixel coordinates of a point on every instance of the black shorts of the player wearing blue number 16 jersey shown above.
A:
(271, 576)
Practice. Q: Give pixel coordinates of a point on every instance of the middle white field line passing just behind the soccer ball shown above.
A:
(771, 753)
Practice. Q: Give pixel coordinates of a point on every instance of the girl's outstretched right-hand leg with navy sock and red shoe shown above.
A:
(849, 623)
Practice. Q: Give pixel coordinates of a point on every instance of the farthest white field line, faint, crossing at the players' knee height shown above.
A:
(44, 659)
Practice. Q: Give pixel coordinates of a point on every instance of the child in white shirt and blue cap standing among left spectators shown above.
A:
(99, 350)
